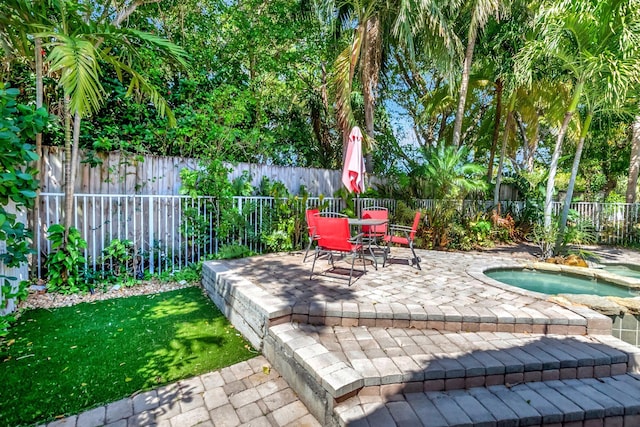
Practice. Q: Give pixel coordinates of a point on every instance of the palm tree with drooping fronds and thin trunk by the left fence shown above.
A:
(77, 48)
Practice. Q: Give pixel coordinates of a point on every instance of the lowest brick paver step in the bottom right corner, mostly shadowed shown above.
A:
(609, 401)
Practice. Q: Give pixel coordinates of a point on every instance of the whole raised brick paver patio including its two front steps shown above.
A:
(444, 346)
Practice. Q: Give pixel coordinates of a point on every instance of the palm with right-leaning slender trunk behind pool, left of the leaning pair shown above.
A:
(587, 41)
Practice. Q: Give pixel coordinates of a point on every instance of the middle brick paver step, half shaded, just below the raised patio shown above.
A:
(374, 361)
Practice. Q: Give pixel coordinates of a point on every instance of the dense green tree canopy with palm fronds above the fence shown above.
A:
(282, 81)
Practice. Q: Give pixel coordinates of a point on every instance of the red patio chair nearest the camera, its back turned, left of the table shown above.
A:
(334, 235)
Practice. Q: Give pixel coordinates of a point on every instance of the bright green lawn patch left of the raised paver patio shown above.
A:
(66, 360)
